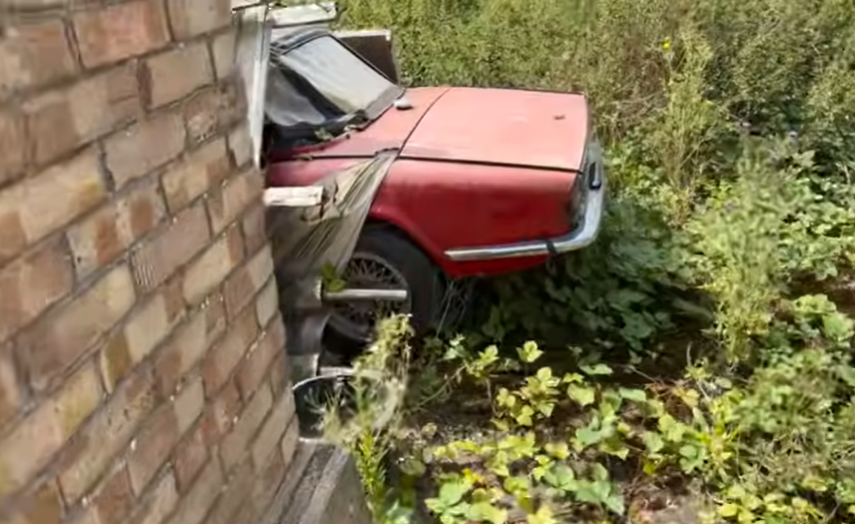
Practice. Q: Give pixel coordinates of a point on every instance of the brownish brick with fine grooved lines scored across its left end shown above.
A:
(159, 258)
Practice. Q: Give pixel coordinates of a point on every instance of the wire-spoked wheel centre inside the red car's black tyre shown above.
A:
(356, 320)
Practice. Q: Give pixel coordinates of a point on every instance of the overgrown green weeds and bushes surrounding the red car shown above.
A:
(702, 348)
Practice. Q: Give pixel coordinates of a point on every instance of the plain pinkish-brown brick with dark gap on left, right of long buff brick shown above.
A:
(144, 147)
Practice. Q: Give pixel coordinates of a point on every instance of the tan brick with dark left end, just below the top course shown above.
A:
(176, 73)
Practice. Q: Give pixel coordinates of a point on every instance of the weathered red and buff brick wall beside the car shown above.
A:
(142, 372)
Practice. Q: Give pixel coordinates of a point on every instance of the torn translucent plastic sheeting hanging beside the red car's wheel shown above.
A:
(308, 239)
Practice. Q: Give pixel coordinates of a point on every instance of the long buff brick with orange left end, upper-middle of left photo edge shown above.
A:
(37, 206)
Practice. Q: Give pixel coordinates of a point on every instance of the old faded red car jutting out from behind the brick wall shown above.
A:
(485, 181)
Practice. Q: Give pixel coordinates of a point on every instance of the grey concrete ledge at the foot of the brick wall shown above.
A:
(322, 487)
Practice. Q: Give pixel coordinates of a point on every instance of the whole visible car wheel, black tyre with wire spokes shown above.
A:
(385, 259)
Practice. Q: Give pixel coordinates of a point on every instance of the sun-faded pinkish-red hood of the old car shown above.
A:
(501, 126)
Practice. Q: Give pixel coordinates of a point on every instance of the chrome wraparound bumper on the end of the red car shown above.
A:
(582, 236)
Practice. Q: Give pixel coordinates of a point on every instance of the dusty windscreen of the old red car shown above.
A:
(320, 81)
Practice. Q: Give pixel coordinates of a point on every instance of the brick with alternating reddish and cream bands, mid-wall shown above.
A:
(106, 234)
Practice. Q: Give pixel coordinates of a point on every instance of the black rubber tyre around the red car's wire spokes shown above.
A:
(383, 246)
